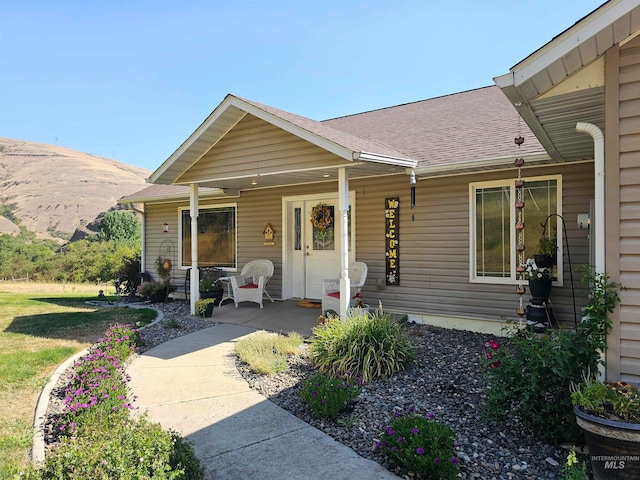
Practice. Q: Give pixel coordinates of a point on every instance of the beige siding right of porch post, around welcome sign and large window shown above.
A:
(434, 248)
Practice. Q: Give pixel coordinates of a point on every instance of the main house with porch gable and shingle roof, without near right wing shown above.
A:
(262, 166)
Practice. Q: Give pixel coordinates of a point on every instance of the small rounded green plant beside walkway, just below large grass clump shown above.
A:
(328, 395)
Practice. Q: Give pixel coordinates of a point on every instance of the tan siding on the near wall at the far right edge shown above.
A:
(629, 209)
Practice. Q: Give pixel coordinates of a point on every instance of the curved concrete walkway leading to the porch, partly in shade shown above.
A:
(191, 385)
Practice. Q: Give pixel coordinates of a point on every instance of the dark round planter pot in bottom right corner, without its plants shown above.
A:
(614, 446)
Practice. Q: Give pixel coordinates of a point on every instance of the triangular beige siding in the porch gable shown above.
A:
(270, 149)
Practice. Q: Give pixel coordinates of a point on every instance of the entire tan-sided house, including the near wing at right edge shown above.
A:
(446, 255)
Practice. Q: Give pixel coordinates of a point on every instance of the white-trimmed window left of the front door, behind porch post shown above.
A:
(217, 237)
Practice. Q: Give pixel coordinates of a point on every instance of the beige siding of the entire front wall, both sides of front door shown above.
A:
(434, 248)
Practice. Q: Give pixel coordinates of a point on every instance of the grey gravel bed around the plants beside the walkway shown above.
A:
(445, 379)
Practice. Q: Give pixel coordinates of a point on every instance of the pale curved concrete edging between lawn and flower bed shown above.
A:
(39, 418)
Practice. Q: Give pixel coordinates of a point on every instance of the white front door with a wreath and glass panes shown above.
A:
(313, 252)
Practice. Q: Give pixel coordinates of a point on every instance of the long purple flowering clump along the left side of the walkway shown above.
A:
(97, 388)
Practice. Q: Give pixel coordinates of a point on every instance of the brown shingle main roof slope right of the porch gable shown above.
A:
(473, 125)
